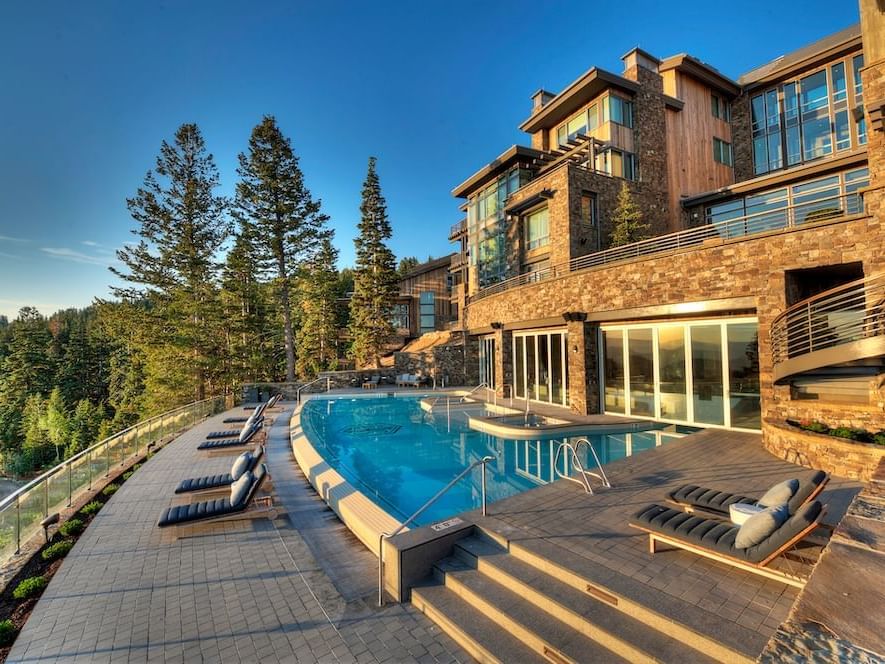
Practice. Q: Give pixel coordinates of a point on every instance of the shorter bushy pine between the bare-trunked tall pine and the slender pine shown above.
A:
(318, 333)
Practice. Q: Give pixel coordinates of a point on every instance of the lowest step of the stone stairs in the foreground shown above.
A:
(478, 635)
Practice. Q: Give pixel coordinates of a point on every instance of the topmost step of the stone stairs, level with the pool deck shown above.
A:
(690, 624)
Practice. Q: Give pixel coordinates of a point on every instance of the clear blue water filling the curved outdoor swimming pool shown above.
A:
(399, 455)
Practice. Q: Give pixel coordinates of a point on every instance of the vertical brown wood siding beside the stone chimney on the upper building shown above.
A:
(690, 134)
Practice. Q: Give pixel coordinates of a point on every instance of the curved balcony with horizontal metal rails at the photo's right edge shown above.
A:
(842, 325)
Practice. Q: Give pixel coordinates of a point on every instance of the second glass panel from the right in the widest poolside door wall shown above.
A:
(706, 371)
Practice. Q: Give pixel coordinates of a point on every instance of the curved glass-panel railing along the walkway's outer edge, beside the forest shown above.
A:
(22, 511)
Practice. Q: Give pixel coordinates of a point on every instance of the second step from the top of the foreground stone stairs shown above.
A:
(595, 618)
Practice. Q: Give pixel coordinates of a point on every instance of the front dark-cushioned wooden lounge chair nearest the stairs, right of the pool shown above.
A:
(715, 539)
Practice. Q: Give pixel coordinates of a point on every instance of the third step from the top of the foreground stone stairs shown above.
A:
(537, 629)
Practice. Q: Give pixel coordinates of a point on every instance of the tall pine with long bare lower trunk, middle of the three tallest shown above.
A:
(284, 219)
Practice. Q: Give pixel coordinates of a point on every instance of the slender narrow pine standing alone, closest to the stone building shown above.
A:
(375, 278)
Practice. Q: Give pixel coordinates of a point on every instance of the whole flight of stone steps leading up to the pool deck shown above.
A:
(505, 603)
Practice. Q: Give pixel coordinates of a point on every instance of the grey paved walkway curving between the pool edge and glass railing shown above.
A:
(246, 591)
